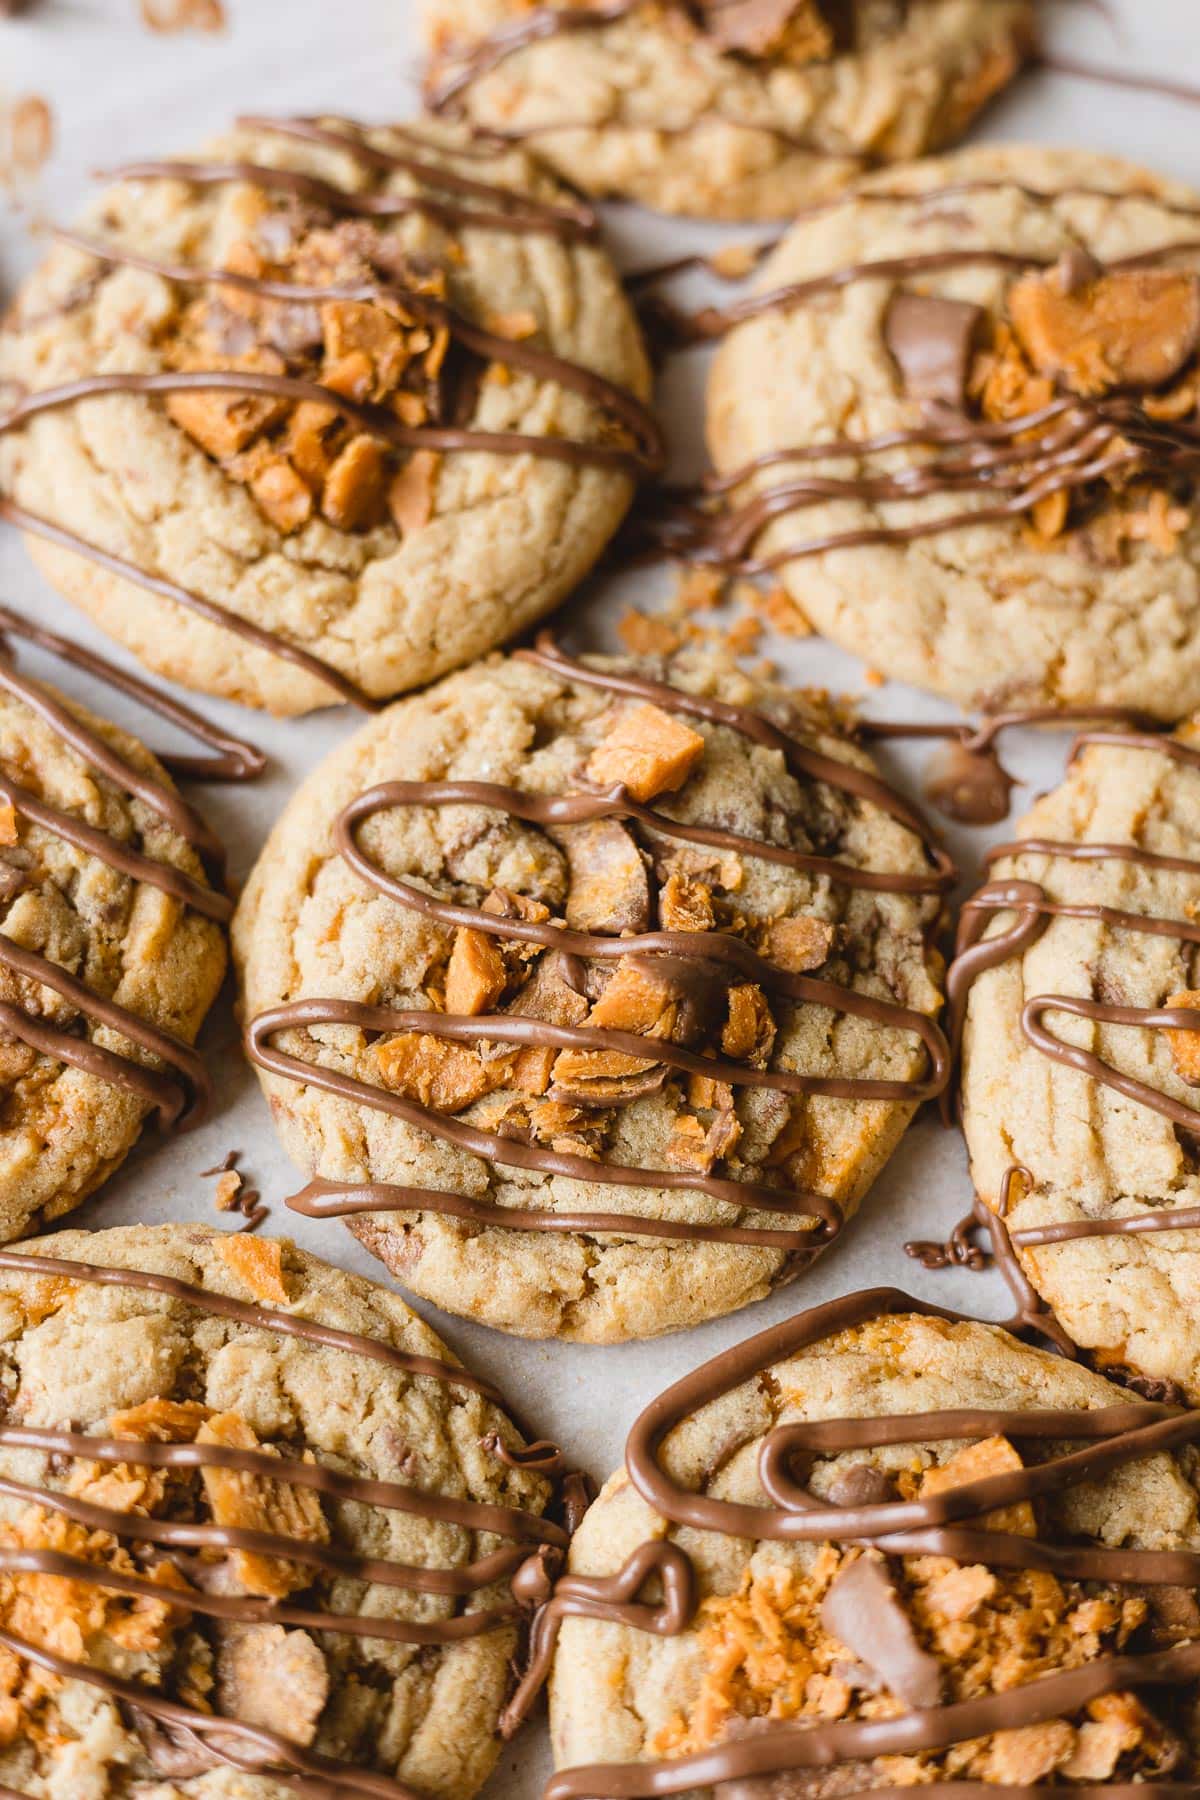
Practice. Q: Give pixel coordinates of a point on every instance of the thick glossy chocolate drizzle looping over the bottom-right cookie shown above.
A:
(947, 1524)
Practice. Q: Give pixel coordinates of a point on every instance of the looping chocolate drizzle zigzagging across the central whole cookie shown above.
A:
(819, 1212)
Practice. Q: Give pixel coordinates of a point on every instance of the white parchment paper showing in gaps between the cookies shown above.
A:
(120, 93)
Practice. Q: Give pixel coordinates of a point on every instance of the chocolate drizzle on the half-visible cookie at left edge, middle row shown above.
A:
(181, 1099)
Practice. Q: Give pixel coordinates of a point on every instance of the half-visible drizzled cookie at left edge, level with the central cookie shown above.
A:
(112, 949)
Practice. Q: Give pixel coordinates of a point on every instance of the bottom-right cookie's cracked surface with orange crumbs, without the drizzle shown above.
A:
(834, 1635)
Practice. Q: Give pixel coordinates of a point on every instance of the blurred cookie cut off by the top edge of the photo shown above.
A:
(735, 109)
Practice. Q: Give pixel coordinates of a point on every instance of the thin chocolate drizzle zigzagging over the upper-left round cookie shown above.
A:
(508, 213)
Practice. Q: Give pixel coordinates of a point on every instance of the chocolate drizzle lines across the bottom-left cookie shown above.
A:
(532, 1538)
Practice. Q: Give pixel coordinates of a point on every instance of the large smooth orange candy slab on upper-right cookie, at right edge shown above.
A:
(1129, 328)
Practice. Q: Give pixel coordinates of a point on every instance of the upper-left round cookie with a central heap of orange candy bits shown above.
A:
(289, 499)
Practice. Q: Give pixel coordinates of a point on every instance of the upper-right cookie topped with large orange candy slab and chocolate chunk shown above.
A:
(958, 422)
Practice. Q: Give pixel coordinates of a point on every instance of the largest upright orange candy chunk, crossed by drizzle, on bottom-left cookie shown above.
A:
(260, 1504)
